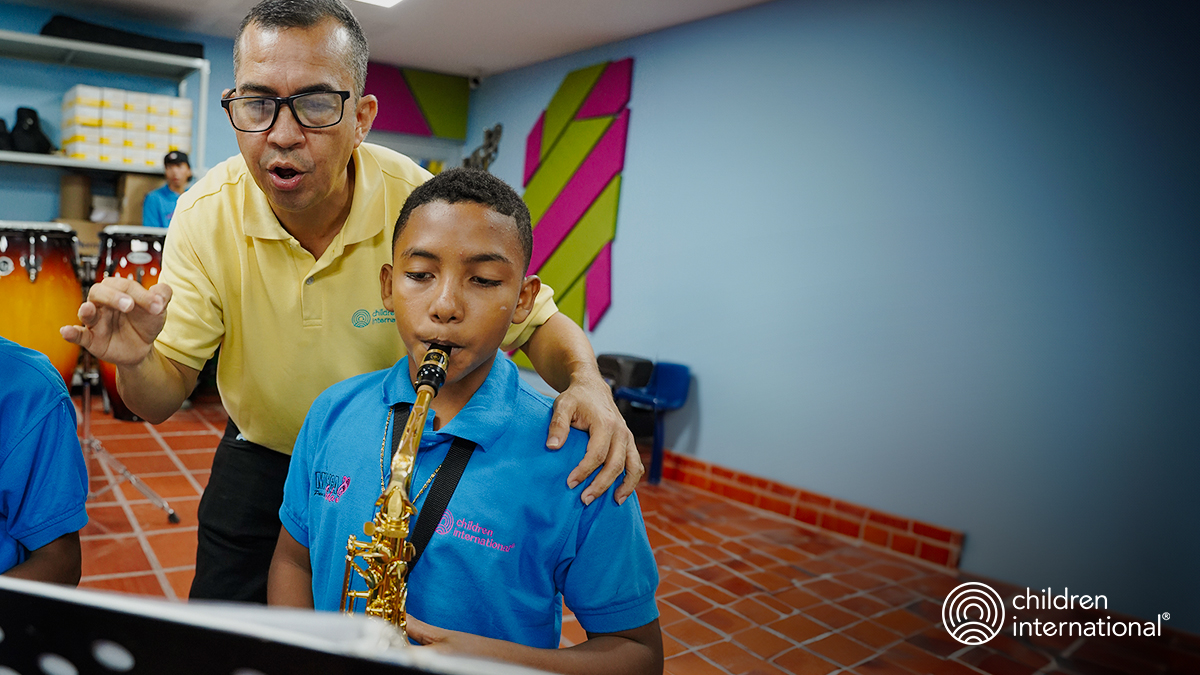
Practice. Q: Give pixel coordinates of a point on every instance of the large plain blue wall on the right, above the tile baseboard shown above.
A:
(963, 246)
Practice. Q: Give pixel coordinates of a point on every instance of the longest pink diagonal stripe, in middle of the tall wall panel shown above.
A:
(605, 162)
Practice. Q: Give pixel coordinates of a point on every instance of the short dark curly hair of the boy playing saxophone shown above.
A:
(471, 186)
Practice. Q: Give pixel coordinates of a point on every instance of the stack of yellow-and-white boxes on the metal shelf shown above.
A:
(103, 124)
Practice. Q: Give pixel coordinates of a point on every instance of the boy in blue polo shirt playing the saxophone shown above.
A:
(512, 546)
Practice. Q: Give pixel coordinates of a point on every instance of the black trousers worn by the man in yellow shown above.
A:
(239, 521)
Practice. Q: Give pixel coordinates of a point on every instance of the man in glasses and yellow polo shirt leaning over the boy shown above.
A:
(275, 256)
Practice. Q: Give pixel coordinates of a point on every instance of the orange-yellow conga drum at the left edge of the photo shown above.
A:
(40, 290)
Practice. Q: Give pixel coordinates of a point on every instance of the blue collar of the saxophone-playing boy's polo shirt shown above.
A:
(485, 417)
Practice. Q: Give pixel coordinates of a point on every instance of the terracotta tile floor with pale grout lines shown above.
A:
(743, 592)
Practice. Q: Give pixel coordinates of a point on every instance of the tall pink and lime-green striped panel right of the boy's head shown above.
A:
(574, 158)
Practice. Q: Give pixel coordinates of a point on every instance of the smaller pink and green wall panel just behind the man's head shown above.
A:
(419, 103)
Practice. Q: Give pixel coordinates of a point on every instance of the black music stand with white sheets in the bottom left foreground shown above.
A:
(51, 629)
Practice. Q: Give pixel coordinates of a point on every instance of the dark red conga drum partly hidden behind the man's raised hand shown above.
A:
(133, 253)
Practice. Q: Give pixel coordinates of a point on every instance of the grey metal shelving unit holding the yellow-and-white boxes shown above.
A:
(76, 53)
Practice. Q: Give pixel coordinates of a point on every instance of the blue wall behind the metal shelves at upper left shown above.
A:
(33, 193)
